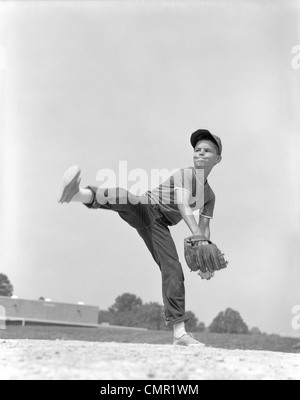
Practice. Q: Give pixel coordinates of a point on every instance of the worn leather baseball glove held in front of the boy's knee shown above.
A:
(203, 256)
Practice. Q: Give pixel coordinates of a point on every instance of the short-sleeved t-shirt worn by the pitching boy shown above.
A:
(201, 198)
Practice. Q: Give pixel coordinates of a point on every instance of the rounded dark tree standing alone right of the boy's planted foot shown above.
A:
(229, 321)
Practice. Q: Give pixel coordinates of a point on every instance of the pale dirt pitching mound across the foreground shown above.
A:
(42, 359)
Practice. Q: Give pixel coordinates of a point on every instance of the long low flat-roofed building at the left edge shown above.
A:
(48, 312)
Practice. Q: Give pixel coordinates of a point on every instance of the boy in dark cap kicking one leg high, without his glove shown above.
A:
(151, 215)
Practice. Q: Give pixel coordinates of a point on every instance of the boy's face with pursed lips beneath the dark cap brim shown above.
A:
(206, 155)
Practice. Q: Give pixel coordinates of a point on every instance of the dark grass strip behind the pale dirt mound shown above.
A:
(125, 335)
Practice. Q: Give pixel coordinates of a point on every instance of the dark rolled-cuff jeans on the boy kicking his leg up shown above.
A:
(153, 228)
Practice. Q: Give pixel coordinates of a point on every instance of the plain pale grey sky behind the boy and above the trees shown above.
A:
(96, 83)
